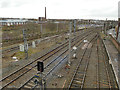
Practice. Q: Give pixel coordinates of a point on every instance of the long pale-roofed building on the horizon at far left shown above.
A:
(9, 22)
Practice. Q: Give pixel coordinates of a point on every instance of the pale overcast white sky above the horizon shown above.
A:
(60, 9)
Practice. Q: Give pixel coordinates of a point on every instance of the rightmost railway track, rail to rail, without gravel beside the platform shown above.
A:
(102, 68)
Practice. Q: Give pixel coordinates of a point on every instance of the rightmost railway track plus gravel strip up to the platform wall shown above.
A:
(106, 79)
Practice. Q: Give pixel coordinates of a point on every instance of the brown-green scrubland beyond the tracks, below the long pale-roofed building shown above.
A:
(14, 34)
